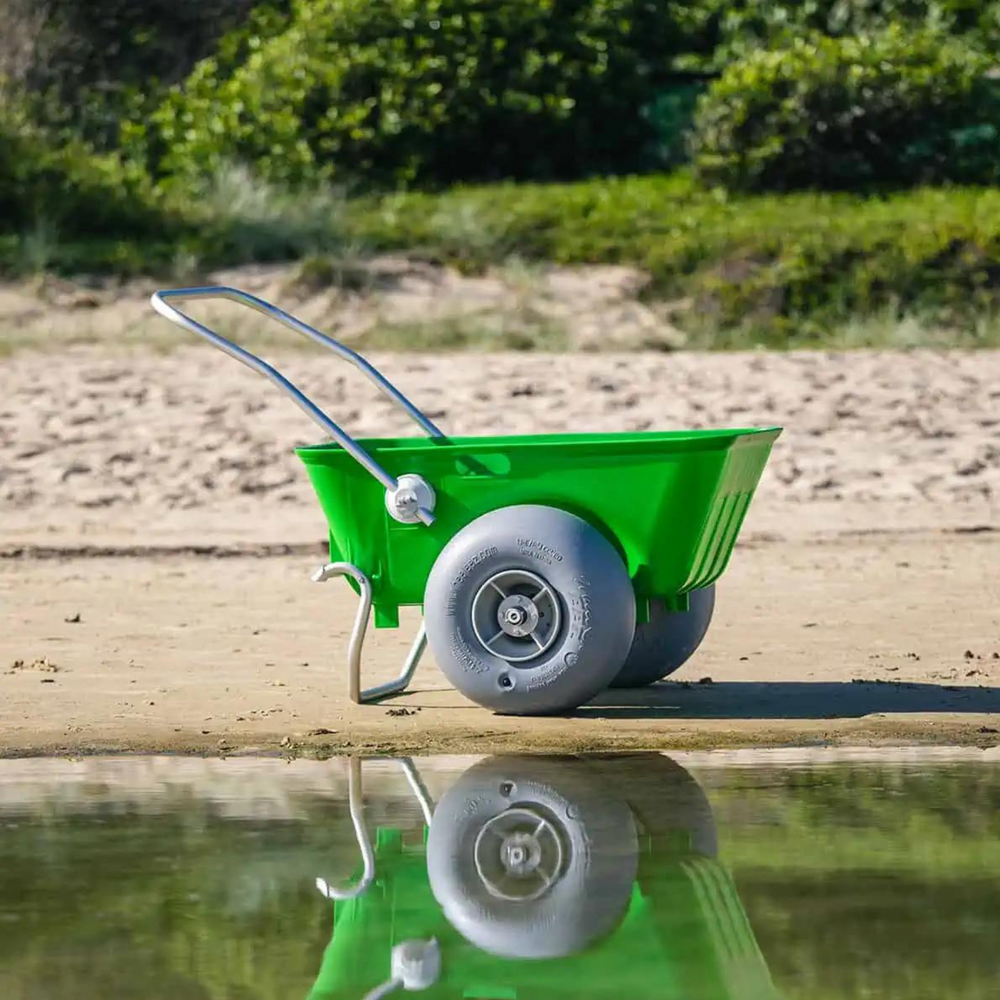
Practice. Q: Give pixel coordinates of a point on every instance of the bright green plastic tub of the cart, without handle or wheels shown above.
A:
(671, 502)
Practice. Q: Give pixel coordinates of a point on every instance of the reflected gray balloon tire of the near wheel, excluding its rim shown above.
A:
(591, 896)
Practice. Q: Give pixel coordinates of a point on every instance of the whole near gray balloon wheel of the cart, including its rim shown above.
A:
(529, 610)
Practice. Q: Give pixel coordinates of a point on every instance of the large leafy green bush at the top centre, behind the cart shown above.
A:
(390, 92)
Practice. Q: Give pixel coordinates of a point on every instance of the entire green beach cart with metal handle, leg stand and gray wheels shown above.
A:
(548, 566)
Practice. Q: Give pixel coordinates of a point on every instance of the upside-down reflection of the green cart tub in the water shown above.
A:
(684, 936)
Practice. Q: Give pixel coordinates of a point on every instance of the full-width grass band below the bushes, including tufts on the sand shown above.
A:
(915, 268)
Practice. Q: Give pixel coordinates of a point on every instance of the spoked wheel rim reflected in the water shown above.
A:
(519, 855)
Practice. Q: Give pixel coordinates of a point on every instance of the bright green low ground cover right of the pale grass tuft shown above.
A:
(780, 270)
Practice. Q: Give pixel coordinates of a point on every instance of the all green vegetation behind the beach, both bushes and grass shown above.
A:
(694, 140)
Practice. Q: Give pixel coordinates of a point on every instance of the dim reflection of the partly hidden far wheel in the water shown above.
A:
(667, 802)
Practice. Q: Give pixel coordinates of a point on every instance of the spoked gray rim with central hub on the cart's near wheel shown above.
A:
(516, 615)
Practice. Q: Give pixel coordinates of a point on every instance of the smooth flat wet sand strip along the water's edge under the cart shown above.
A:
(853, 638)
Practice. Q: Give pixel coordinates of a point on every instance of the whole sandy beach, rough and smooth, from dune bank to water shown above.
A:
(156, 497)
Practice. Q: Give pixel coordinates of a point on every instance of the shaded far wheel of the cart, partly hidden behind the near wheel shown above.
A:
(667, 641)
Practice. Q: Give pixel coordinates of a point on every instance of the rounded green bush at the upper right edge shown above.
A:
(886, 109)
